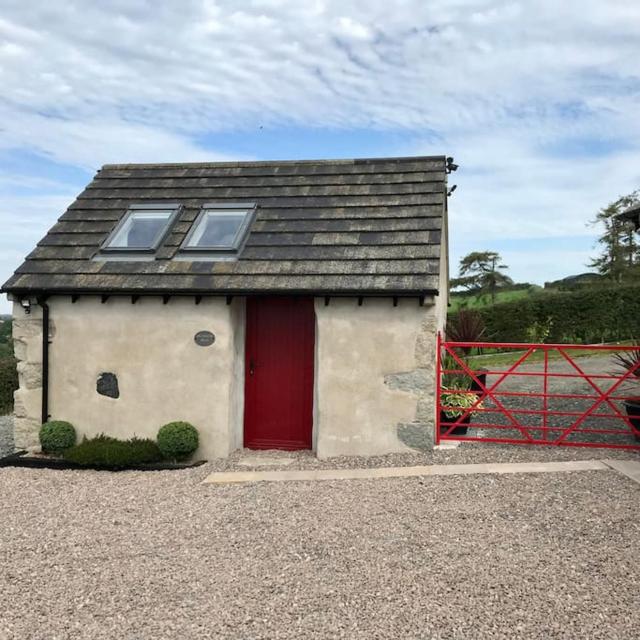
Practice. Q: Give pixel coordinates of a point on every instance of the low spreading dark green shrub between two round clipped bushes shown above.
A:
(105, 451)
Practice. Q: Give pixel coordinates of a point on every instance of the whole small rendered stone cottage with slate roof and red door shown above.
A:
(287, 305)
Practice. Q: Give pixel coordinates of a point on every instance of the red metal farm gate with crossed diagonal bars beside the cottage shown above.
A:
(547, 394)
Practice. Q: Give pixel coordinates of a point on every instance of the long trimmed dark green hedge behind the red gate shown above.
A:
(580, 317)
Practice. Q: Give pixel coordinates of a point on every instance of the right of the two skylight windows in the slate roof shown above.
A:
(220, 227)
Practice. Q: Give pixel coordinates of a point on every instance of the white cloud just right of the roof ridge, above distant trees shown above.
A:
(508, 189)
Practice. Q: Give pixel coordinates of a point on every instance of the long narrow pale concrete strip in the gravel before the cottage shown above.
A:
(227, 477)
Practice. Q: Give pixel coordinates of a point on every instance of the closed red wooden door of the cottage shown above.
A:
(279, 358)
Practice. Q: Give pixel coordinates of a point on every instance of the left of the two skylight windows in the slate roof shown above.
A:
(142, 229)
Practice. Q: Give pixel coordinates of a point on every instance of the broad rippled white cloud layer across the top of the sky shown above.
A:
(207, 65)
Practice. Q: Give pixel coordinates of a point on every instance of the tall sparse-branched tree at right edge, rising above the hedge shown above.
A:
(619, 251)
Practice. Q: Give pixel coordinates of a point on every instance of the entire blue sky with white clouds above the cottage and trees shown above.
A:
(538, 102)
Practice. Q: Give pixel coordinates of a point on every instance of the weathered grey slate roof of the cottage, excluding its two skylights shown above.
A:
(368, 227)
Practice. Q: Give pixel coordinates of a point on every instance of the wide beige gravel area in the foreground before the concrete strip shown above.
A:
(159, 555)
